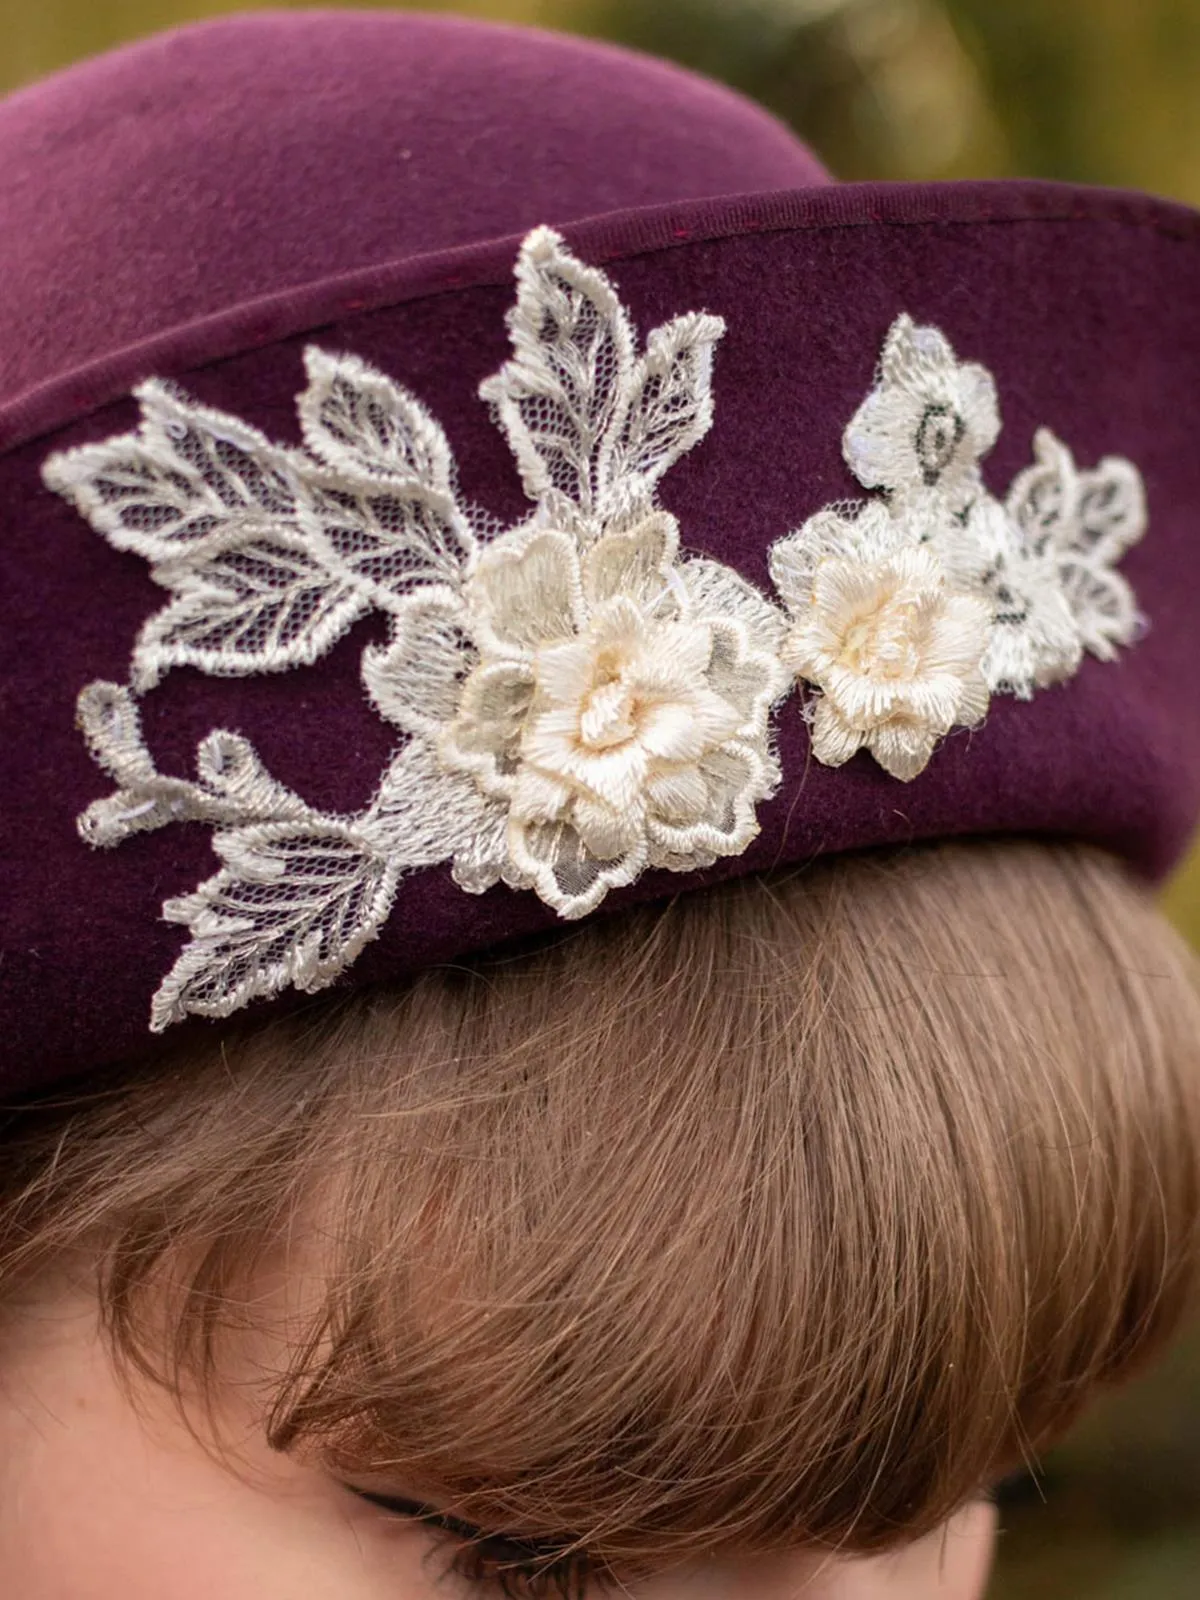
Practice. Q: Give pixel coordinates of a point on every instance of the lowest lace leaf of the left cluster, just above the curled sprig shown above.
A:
(260, 606)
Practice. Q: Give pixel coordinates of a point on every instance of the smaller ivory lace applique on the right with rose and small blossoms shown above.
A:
(911, 610)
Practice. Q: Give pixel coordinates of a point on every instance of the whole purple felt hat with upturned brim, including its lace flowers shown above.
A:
(455, 479)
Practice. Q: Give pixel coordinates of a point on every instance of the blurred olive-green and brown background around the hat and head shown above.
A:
(1092, 90)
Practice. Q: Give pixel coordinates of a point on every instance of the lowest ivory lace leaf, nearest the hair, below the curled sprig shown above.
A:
(292, 905)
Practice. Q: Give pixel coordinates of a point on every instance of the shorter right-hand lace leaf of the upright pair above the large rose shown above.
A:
(668, 410)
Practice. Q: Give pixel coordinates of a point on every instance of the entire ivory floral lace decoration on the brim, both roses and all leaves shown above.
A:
(580, 700)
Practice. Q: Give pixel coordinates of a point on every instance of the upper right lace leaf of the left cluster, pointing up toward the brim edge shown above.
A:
(359, 422)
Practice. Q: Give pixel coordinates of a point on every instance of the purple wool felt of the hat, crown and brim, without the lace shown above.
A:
(1082, 303)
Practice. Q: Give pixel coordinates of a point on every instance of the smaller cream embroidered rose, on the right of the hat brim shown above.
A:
(894, 650)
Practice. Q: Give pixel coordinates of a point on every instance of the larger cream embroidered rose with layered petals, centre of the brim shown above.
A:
(618, 708)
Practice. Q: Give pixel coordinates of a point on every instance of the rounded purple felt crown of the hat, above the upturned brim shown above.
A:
(236, 159)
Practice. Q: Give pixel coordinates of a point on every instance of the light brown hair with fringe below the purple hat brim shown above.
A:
(786, 1214)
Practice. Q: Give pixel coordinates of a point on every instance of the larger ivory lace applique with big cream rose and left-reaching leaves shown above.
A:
(582, 702)
